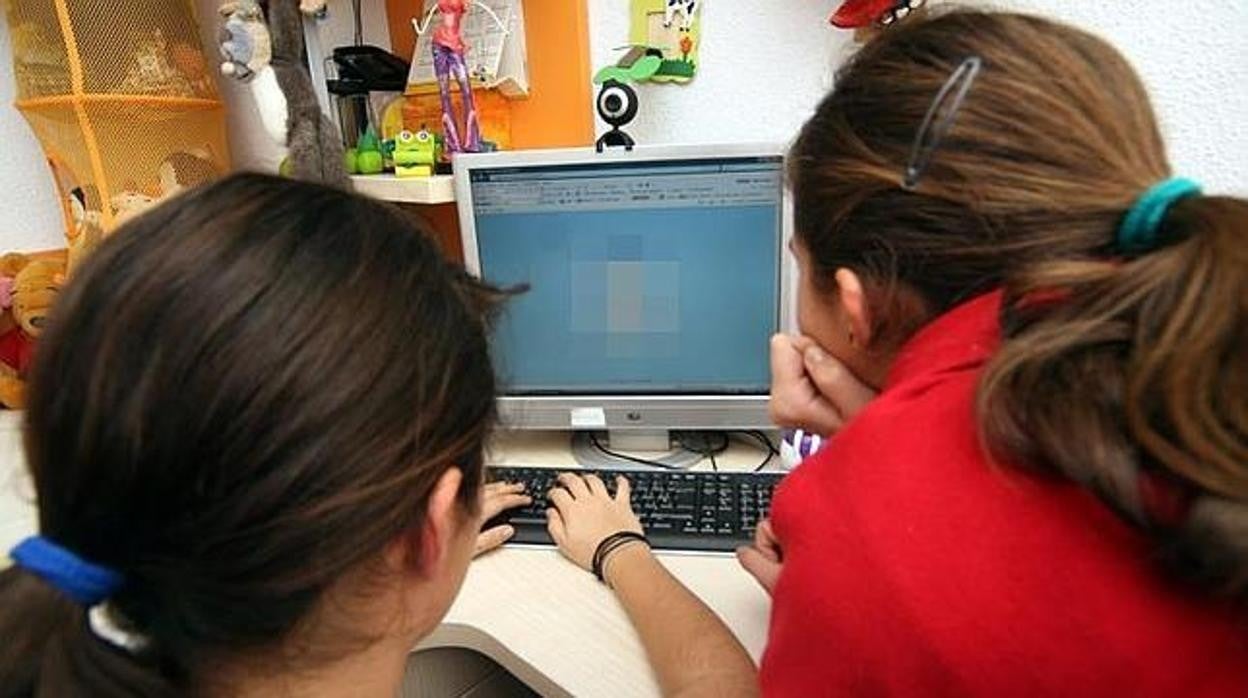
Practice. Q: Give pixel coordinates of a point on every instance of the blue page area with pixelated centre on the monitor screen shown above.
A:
(666, 300)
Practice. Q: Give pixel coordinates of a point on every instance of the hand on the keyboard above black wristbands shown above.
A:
(585, 514)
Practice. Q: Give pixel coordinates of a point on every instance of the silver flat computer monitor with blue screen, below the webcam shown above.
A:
(656, 279)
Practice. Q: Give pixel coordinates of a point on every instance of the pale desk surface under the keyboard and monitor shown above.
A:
(542, 619)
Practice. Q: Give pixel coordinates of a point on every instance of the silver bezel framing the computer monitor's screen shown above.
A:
(631, 411)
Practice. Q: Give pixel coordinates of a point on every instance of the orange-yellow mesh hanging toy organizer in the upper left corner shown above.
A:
(122, 99)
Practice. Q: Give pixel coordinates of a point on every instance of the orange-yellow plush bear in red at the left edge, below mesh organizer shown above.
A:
(32, 293)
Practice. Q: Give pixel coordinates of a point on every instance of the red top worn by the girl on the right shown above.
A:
(914, 566)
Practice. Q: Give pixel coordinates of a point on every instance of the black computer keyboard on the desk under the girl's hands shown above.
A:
(681, 511)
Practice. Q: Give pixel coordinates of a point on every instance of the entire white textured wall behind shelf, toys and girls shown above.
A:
(761, 77)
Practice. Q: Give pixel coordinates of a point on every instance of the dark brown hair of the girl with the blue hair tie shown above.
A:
(243, 396)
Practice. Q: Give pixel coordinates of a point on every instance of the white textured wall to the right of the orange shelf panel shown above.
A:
(763, 71)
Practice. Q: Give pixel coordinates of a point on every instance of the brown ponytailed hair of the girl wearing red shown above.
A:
(1116, 370)
